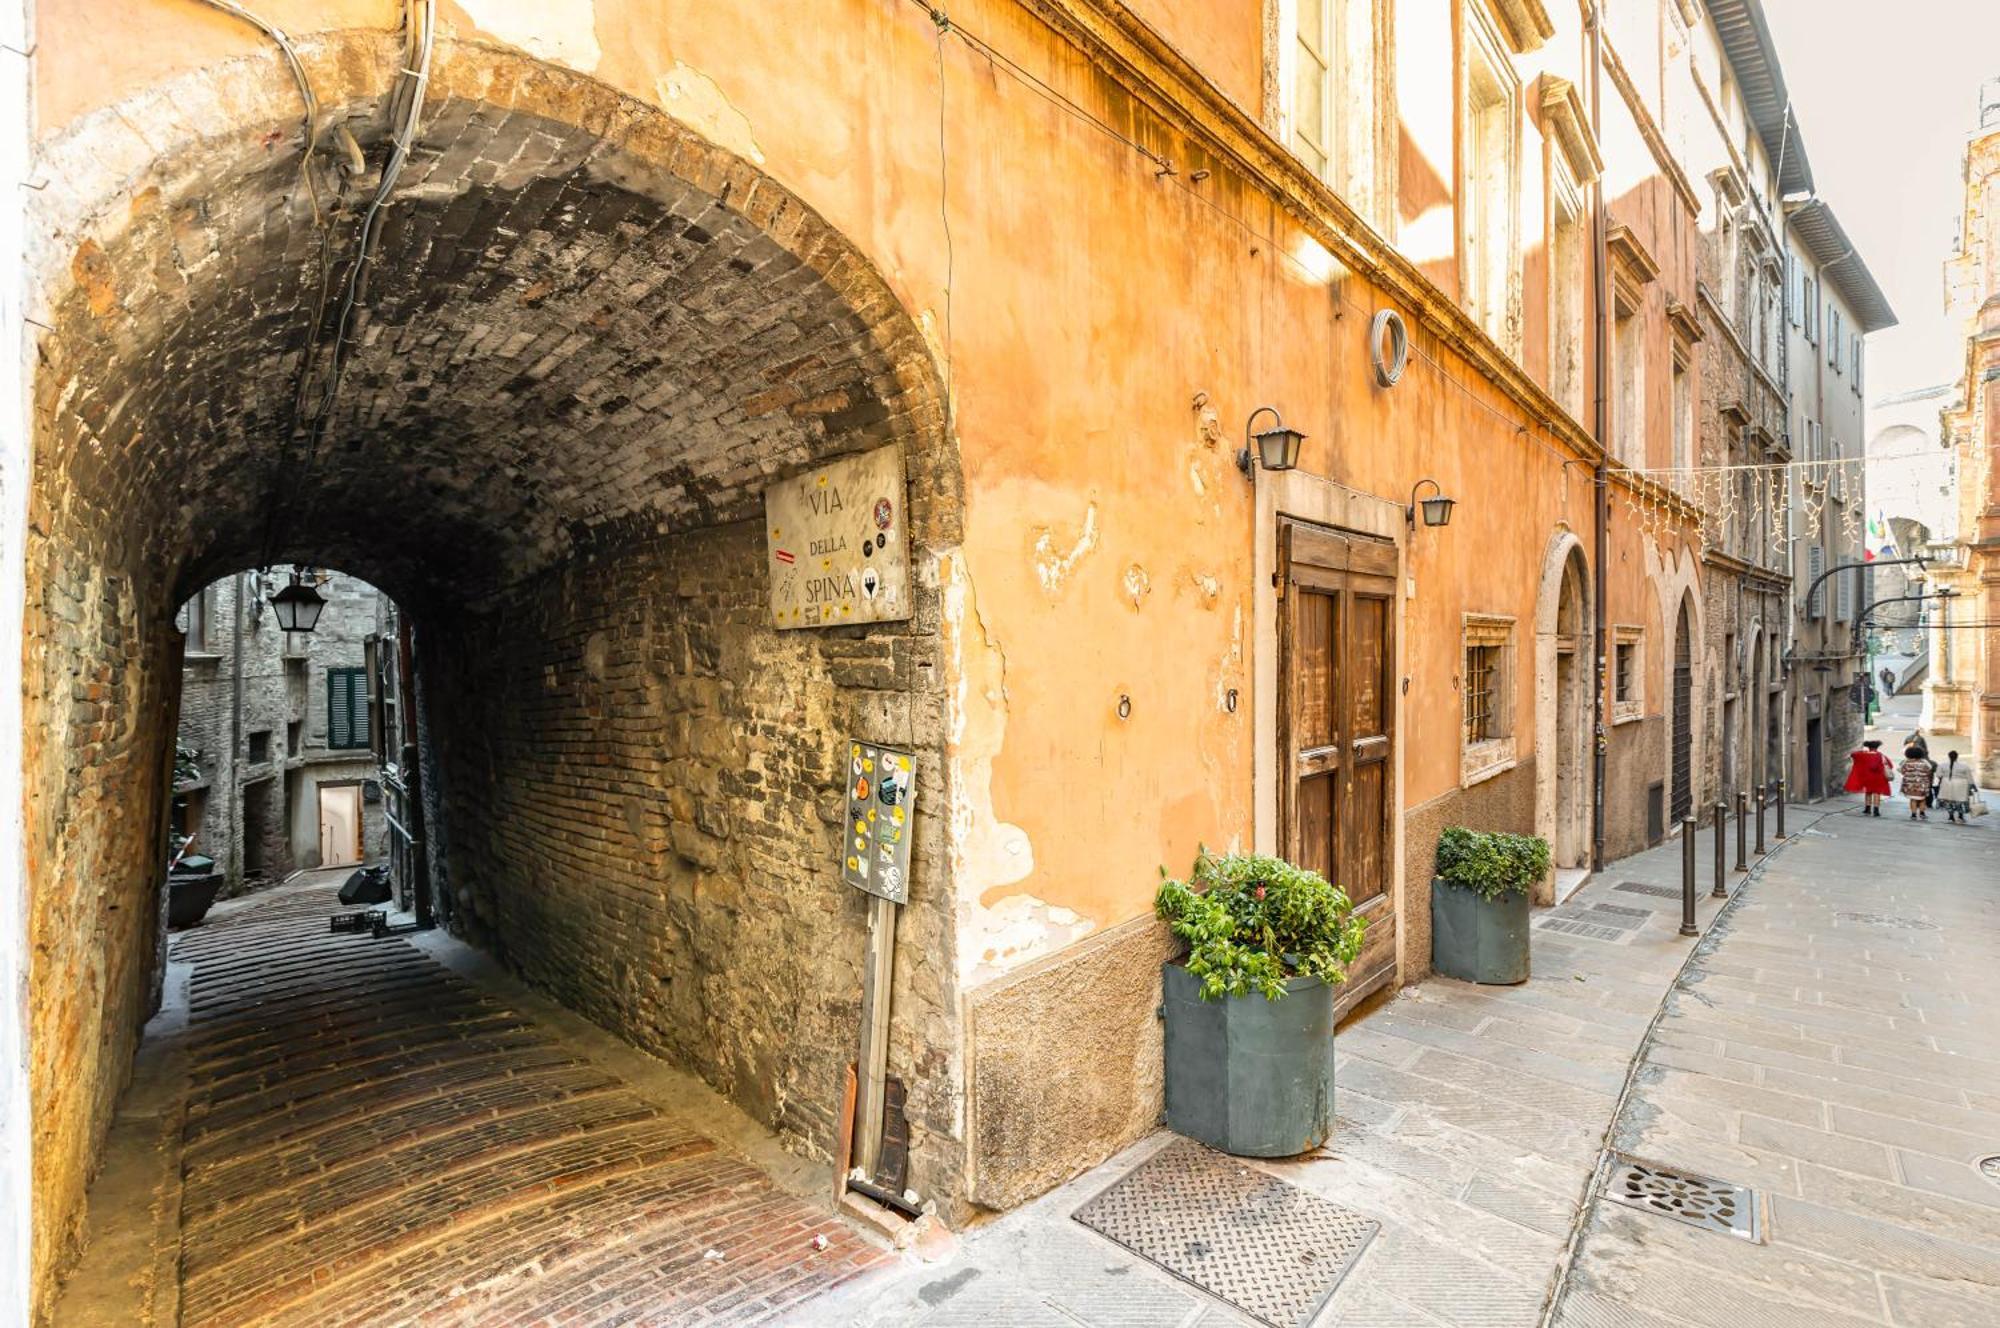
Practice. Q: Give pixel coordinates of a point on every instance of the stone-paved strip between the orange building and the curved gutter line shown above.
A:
(1471, 1123)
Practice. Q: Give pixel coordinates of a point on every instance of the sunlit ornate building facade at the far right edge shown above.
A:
(1963, 699)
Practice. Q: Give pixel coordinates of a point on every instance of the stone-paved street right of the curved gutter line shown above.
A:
(1835, 1047)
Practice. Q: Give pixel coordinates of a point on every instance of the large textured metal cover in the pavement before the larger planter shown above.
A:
(1259, 1243)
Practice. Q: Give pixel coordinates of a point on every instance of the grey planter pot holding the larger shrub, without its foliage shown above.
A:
(1247, 1075)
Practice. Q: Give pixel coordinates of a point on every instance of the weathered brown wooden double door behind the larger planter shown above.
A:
(1337, 727)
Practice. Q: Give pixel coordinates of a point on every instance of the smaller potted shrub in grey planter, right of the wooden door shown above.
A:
(1479, 905)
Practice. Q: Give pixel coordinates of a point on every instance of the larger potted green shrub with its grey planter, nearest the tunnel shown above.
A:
(1251, 1007)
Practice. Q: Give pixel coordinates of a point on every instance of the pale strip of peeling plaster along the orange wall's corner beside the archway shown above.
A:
(987, 853)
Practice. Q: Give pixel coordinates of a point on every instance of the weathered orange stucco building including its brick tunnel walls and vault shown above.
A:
(1059, 253)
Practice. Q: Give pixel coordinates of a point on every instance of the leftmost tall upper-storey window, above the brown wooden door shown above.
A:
(1331, 95)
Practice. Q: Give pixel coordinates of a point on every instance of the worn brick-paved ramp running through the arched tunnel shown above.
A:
(373, 1141)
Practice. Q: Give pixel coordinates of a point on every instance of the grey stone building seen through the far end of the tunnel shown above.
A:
(277, 727)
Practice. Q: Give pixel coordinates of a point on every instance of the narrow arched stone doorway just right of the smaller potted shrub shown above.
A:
(1563, 677)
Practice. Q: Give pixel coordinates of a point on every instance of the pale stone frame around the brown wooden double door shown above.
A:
(1295, 495)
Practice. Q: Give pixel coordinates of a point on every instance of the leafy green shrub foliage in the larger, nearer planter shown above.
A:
(1251, 923)
